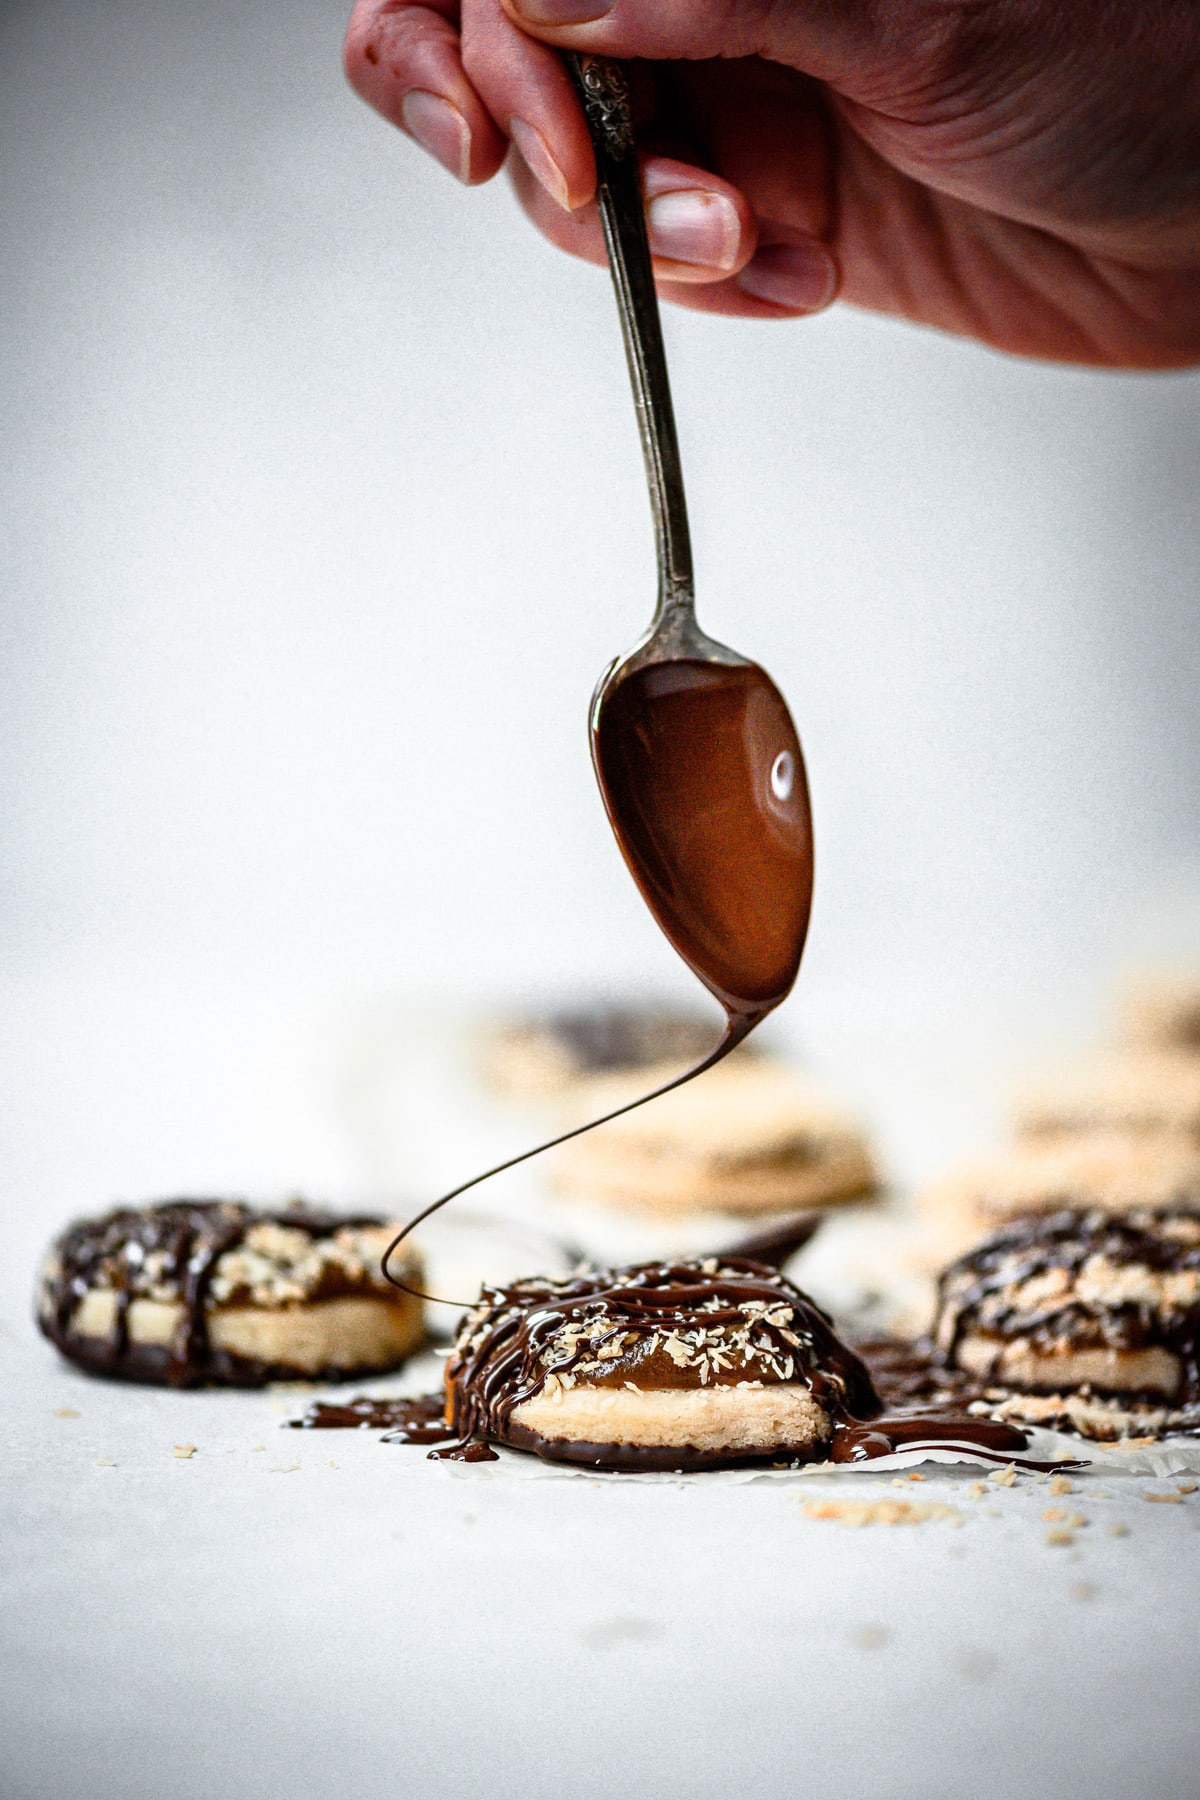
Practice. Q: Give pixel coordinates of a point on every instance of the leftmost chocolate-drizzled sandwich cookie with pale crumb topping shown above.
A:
(192, 1293)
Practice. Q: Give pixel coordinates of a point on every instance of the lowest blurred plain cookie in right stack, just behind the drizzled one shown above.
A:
(1098, 1173)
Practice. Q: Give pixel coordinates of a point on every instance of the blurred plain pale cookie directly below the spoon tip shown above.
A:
(753, 1137)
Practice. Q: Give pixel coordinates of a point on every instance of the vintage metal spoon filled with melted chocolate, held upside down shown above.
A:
(694, 746)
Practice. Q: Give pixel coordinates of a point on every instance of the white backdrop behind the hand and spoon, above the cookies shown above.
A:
(323, 512)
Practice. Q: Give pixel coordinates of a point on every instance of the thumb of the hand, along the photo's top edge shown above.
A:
(823, 39)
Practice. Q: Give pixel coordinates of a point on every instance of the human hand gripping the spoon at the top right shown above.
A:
(1021, 172)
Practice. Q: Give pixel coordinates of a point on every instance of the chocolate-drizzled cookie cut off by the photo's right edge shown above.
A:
(1075, 1282)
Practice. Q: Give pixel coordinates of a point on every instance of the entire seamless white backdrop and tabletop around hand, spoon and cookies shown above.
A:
(321, 516)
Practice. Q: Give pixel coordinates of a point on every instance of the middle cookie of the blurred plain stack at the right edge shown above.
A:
(1131, 1095)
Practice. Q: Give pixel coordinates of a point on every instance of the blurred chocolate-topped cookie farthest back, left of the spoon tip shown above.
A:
(546, 1056)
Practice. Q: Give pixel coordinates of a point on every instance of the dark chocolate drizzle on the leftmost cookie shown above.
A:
(190, 1237)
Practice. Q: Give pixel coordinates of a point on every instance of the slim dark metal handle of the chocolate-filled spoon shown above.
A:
(605, 96)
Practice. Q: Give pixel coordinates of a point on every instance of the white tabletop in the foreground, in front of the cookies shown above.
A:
(255, 1621)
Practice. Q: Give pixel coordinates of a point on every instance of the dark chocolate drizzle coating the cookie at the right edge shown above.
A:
(983, 1290)
